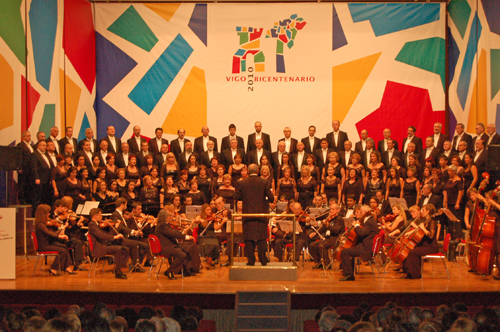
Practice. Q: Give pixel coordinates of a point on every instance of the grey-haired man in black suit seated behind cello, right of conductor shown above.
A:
(366, 228)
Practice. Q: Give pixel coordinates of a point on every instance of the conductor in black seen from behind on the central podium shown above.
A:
(254, 191)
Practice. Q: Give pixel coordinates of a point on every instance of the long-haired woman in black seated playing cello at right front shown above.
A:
(428, 245)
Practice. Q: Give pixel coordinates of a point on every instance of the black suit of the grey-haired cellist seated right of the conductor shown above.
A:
(364, 247)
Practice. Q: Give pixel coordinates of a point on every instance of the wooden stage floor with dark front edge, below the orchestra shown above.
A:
(212, 289)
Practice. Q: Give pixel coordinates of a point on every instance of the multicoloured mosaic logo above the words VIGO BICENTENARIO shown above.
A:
(283, 31)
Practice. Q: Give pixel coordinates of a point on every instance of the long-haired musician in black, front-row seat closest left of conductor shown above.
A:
(170, 247)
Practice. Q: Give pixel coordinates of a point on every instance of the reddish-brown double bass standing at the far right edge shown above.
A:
(485, 242)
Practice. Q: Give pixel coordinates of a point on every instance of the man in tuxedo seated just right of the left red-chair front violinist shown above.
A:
(123, 227)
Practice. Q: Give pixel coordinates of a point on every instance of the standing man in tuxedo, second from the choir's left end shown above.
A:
(40, 169)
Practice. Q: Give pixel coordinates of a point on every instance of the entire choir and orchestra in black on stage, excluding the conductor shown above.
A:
(137, 180)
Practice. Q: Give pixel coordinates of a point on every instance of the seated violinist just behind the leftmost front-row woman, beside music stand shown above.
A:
(72, 228)
